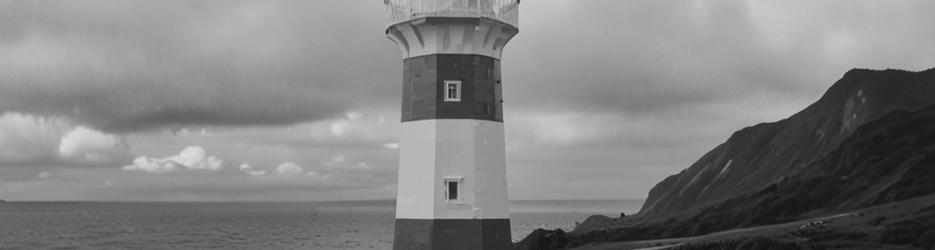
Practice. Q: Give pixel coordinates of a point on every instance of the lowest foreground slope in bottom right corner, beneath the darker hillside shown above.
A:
(907, 224)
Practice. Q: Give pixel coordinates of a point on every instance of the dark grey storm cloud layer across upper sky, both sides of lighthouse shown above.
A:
(122, 66)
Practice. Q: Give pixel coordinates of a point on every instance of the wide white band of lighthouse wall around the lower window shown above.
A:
(431, 150)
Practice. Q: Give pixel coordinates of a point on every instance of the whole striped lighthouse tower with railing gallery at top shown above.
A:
(452, 191)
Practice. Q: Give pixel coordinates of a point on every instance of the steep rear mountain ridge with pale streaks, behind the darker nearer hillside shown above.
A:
(758, 156)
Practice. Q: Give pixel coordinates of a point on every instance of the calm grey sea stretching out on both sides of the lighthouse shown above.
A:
(296, 225)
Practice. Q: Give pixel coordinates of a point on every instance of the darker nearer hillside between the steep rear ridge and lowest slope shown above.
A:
(887, 160)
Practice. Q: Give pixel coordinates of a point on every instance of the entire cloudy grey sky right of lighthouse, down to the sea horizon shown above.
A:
(678, 77)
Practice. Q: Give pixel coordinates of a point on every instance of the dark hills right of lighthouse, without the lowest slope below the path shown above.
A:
(869, 140)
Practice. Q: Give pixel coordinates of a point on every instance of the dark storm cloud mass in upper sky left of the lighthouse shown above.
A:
(129, 65)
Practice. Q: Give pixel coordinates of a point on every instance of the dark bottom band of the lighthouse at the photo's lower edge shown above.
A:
(453, 234)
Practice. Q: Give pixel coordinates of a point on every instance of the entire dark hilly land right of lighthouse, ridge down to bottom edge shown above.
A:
(854, 170)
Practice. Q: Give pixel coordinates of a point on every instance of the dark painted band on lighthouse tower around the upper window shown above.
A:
(425, 91)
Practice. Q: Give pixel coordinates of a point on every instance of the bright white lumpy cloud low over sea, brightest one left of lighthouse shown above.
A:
(192, 158)
